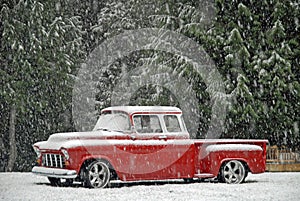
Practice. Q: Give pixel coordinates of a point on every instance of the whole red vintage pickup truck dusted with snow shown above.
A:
(131, 143)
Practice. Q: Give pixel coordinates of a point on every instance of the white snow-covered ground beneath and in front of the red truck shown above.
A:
(267, 186)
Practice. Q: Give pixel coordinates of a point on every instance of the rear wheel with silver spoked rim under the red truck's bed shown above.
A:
(233, 172)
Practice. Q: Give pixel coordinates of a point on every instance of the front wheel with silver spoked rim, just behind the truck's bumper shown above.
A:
(97, 175)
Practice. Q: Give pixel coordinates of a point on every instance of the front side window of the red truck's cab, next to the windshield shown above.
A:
(147, 124)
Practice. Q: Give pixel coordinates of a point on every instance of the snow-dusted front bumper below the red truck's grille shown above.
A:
(54, 172)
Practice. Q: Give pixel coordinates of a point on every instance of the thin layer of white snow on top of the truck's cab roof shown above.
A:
(135, 109)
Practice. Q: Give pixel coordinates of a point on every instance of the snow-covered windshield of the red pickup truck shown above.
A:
(116, 121)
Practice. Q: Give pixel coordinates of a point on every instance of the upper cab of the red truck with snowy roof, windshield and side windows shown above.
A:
(144, 122)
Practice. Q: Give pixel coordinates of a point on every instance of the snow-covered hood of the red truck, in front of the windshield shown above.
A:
(67, 140)
